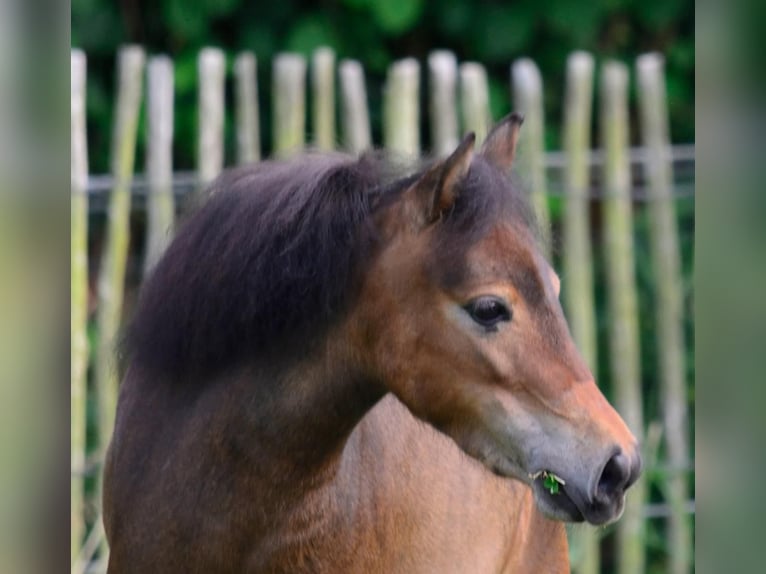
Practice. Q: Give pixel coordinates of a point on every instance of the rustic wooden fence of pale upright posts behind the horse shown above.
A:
(457, 102)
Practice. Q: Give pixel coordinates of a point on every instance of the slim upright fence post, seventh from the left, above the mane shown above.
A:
(323, 88)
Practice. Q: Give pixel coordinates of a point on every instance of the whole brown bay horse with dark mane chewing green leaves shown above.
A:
(335, 368)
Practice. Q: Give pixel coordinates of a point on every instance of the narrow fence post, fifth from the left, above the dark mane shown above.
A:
(248, 120)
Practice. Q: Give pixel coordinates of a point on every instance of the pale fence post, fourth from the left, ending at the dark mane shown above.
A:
(211, 68)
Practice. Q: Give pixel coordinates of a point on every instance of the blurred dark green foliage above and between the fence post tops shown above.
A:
(377, 32)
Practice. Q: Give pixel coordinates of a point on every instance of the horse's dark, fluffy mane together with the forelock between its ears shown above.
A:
(271, 257)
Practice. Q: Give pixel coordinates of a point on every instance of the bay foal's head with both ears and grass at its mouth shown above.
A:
(462, 322)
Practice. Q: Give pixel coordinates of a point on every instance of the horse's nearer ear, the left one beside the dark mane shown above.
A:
(437, 190)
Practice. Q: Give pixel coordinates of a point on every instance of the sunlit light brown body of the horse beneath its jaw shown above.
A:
(422, 504)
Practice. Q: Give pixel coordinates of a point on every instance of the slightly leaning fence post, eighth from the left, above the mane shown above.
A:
(356, 117)
